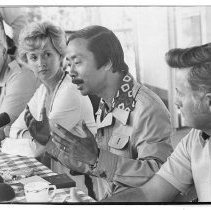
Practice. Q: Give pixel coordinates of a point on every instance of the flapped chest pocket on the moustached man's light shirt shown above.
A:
(119, 145)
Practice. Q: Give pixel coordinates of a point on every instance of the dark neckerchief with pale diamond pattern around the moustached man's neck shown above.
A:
(123, 99)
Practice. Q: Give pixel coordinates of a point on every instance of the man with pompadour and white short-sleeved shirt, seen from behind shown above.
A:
(190, 163)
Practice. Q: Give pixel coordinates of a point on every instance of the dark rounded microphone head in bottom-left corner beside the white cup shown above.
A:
(6, 192)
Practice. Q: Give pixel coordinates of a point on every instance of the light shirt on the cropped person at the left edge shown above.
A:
(17, 87)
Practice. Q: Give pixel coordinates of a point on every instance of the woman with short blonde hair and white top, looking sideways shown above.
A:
(42, 48)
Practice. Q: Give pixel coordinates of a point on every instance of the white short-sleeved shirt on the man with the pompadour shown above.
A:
(190, 164)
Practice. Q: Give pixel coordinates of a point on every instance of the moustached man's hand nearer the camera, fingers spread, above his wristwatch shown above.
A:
(80, 149)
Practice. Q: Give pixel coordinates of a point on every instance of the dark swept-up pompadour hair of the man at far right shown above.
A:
(198, 59)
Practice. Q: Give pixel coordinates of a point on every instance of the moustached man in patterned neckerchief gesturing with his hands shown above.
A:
(134, 127)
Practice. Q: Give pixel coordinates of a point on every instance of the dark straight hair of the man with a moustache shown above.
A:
(105, 46)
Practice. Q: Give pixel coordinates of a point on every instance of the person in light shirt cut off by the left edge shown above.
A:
(17, 86)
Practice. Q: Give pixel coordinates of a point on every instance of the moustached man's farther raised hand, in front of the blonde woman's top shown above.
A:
(39, 130)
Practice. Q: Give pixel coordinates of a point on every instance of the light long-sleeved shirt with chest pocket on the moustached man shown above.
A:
(134, 142)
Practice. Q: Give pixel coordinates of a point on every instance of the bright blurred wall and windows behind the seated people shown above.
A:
(146, 34)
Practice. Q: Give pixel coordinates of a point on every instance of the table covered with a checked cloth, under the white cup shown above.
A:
(16, 162)
